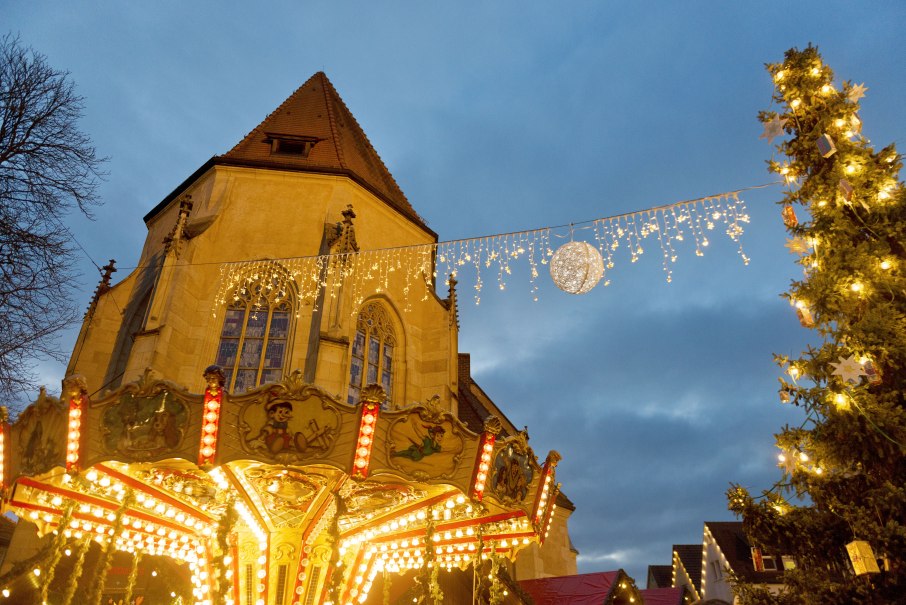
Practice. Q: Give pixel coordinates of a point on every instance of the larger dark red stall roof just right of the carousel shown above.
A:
(584, 589)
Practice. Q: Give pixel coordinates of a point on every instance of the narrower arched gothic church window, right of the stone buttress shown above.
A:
(372, 352)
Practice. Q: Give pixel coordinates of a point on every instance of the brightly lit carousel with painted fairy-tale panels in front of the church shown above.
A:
(282, 495)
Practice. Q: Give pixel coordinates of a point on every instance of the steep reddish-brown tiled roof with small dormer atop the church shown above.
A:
(314, 117)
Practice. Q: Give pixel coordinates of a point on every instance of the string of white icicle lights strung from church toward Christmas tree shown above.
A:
(311, 280)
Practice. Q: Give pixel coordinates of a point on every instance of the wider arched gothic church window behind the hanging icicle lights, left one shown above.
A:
(255, 333)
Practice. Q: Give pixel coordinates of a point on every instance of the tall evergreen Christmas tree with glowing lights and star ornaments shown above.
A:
(838, 515)
